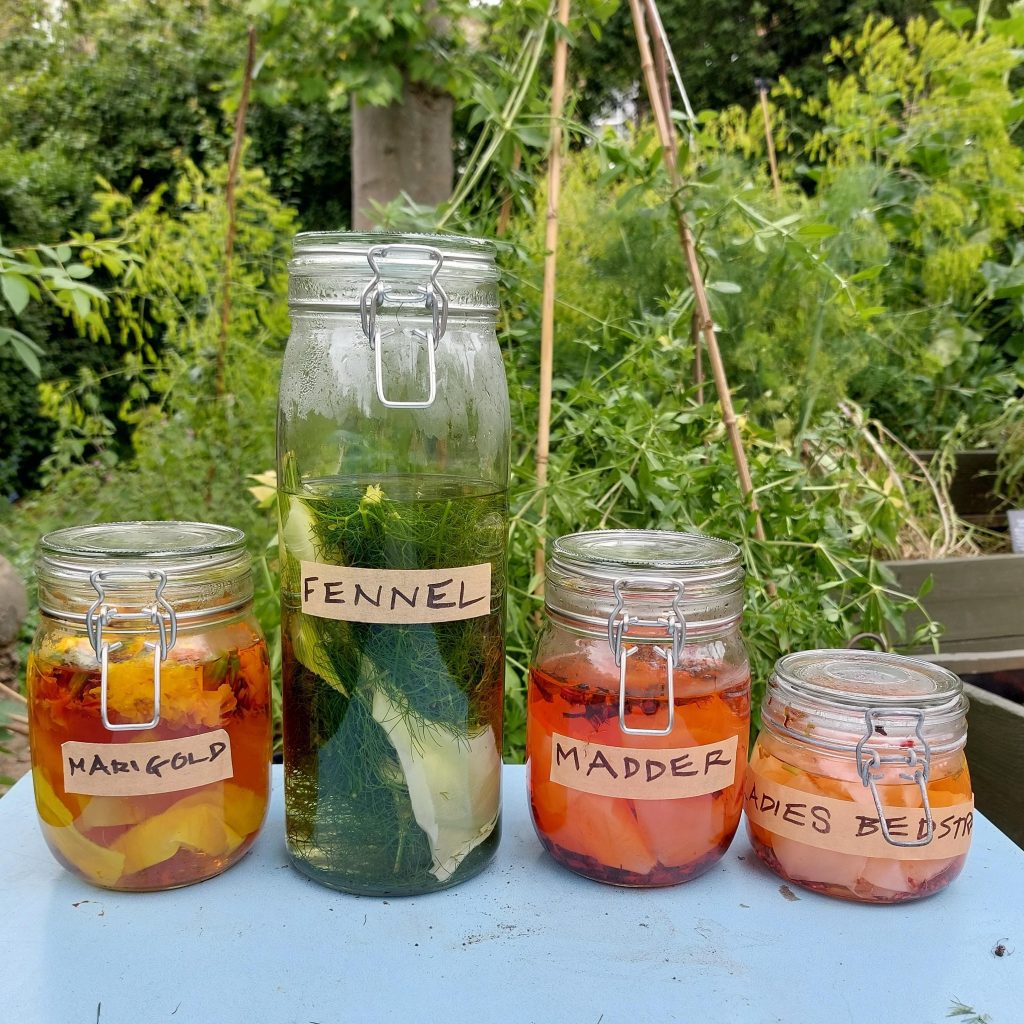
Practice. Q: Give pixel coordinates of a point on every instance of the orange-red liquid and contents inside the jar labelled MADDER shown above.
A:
(633, 842)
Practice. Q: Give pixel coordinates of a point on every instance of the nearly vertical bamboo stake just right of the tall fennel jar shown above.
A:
(550, 267)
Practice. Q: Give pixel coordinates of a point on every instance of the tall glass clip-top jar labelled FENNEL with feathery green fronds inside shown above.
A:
(394, 449)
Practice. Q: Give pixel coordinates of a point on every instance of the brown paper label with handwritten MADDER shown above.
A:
(644, 773)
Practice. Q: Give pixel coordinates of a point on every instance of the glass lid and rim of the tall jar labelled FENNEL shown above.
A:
(337, 270)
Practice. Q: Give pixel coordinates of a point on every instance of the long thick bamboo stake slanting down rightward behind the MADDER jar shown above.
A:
(706, 323)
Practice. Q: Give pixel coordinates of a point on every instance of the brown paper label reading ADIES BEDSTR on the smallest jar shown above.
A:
(847, 827)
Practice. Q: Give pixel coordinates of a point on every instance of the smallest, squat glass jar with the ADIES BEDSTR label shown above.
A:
(858, 786)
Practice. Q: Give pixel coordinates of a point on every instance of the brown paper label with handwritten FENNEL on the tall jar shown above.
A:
(396, 596)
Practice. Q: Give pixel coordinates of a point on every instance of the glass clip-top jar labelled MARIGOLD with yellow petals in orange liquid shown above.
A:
(149, 703)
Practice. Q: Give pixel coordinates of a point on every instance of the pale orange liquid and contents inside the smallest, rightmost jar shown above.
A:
(848, 876)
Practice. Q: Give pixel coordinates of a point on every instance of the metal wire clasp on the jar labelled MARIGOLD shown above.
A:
(101, 614)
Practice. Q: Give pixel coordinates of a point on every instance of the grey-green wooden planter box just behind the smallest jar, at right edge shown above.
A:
(980, 602)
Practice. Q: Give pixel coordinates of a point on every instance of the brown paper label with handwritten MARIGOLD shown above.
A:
(136, 770)
